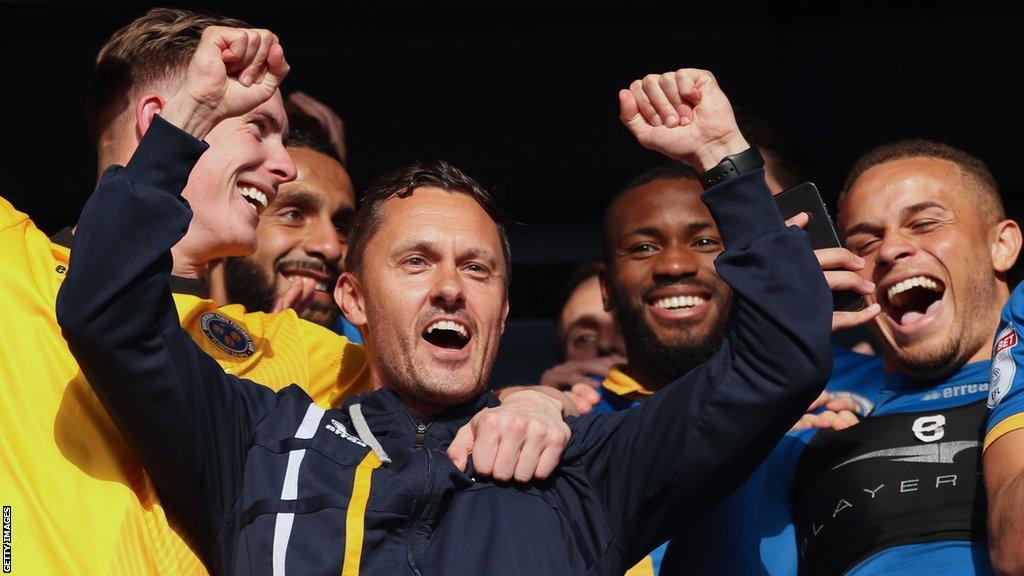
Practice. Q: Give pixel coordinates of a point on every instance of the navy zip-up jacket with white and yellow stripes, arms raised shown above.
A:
(271, 484)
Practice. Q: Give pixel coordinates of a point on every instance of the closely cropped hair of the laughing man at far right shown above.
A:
(990, 203)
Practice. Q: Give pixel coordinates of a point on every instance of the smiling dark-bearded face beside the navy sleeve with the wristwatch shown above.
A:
(669, 303)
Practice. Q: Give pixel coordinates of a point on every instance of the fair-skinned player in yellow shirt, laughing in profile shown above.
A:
(80, 502)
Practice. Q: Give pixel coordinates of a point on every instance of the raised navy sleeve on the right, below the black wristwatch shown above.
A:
(698, 439)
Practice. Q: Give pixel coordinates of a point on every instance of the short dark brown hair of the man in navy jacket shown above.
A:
(402, 184)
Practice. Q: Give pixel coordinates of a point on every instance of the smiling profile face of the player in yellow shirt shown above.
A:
(236, 180)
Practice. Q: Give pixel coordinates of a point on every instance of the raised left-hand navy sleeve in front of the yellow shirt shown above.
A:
(185, 419)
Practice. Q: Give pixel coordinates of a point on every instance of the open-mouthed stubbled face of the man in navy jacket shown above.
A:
(432, 295)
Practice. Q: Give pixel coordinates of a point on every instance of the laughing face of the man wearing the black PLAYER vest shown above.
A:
(935, 260)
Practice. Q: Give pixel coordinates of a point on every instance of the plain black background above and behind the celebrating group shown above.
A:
(523, 97)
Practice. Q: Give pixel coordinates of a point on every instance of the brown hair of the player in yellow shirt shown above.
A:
(154, 48)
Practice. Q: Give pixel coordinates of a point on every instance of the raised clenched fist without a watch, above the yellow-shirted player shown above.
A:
(233, 71)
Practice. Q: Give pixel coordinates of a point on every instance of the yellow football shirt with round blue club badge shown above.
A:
(80, 503)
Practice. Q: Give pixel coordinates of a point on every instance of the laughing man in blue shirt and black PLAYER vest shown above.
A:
(902, 490)
